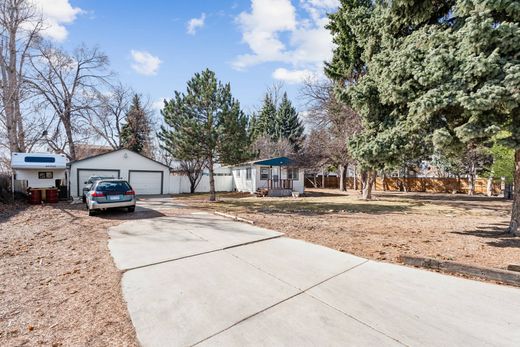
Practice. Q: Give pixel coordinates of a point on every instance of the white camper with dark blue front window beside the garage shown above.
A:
(38, 171)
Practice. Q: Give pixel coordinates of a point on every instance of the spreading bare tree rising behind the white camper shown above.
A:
(68, 84)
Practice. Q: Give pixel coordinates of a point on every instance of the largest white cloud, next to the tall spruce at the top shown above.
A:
(274, 33)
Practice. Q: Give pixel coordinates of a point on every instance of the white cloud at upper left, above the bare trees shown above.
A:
(56, 14)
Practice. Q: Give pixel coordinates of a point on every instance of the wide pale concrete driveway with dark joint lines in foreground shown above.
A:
(200, 279)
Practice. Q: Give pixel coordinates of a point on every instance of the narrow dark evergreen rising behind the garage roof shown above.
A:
(135, 133)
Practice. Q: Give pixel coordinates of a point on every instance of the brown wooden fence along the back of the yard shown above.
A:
(411, 184)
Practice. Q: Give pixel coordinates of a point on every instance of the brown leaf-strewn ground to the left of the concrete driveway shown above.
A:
(59, 284)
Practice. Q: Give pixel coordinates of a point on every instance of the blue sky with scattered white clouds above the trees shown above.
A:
(153, 49)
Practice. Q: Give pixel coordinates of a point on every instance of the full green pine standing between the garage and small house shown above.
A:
(201, 122)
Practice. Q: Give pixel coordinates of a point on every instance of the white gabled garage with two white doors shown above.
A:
(145, 175)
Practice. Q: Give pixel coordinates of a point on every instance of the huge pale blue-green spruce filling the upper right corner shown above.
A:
(442, 72)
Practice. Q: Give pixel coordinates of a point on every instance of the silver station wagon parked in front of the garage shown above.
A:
(110, 193)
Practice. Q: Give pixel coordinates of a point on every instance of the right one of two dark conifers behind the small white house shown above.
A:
(288, 125)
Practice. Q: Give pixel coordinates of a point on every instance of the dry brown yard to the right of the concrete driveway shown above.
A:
(440, 226)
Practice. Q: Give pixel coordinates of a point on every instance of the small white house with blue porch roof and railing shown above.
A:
(279, 176)
